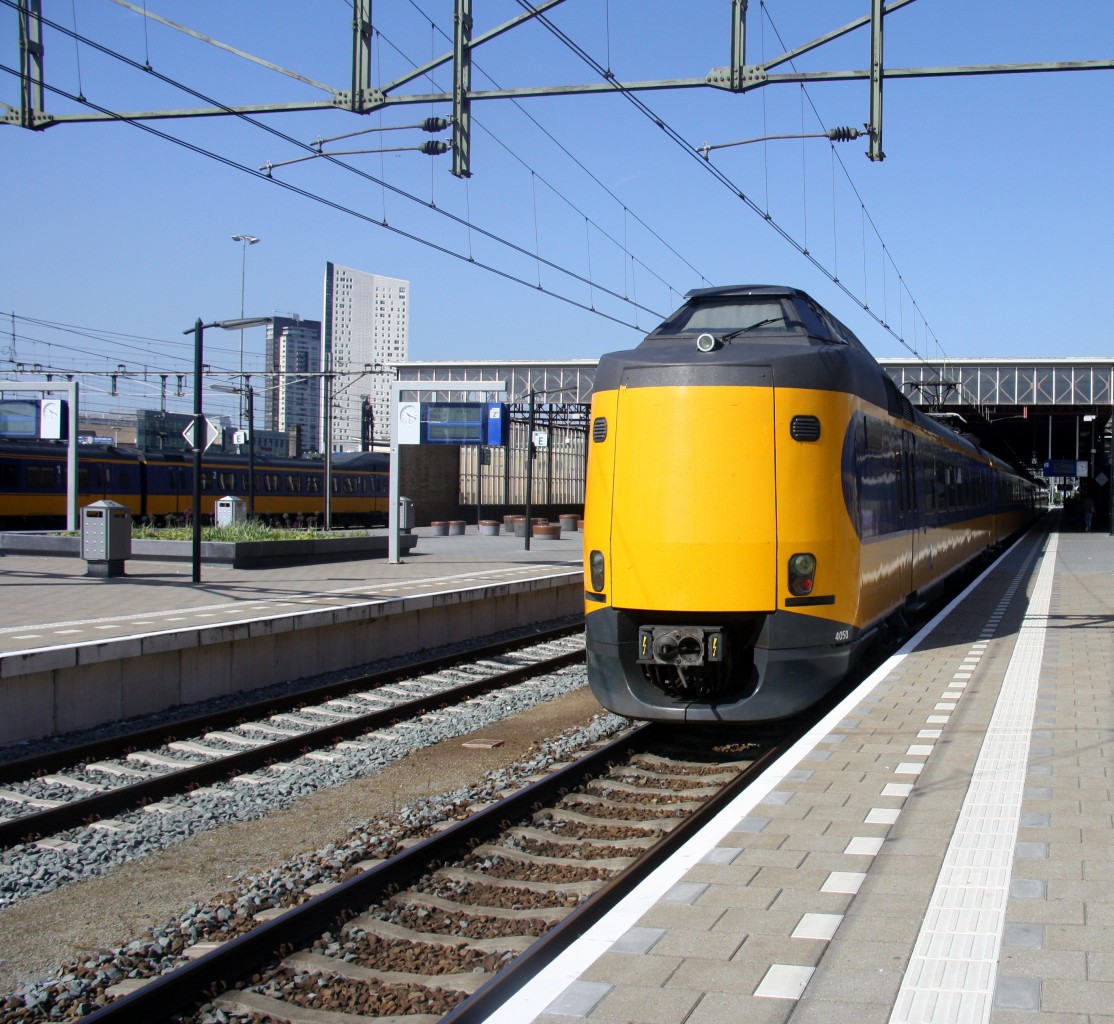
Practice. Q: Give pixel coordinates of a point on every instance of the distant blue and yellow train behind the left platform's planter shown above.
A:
(158, 486)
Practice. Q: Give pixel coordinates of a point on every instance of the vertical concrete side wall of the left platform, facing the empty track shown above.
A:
(58, 690)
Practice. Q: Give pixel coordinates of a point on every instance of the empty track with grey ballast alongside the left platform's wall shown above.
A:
(158, 768)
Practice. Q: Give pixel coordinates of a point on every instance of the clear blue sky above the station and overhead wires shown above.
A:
(985, 232)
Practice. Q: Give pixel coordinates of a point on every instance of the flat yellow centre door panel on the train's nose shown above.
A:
(695, 530)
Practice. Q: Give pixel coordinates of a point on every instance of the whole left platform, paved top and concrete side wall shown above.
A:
(77, 652)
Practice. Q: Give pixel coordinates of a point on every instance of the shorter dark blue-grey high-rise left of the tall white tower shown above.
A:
(290, 401)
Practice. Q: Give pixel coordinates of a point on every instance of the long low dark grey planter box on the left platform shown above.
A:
(242, 555)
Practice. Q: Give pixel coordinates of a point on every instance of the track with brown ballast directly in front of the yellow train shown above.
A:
(447, 930)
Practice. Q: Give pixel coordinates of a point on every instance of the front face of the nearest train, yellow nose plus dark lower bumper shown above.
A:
(700, 501)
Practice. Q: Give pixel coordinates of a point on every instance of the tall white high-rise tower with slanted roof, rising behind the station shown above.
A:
(367, 334)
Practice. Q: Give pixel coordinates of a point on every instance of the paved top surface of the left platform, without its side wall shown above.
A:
(50, 601)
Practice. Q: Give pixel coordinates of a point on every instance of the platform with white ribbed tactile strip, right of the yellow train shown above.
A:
(939, 850)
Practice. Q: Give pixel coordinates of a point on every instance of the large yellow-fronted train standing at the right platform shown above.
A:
(763, 503)
